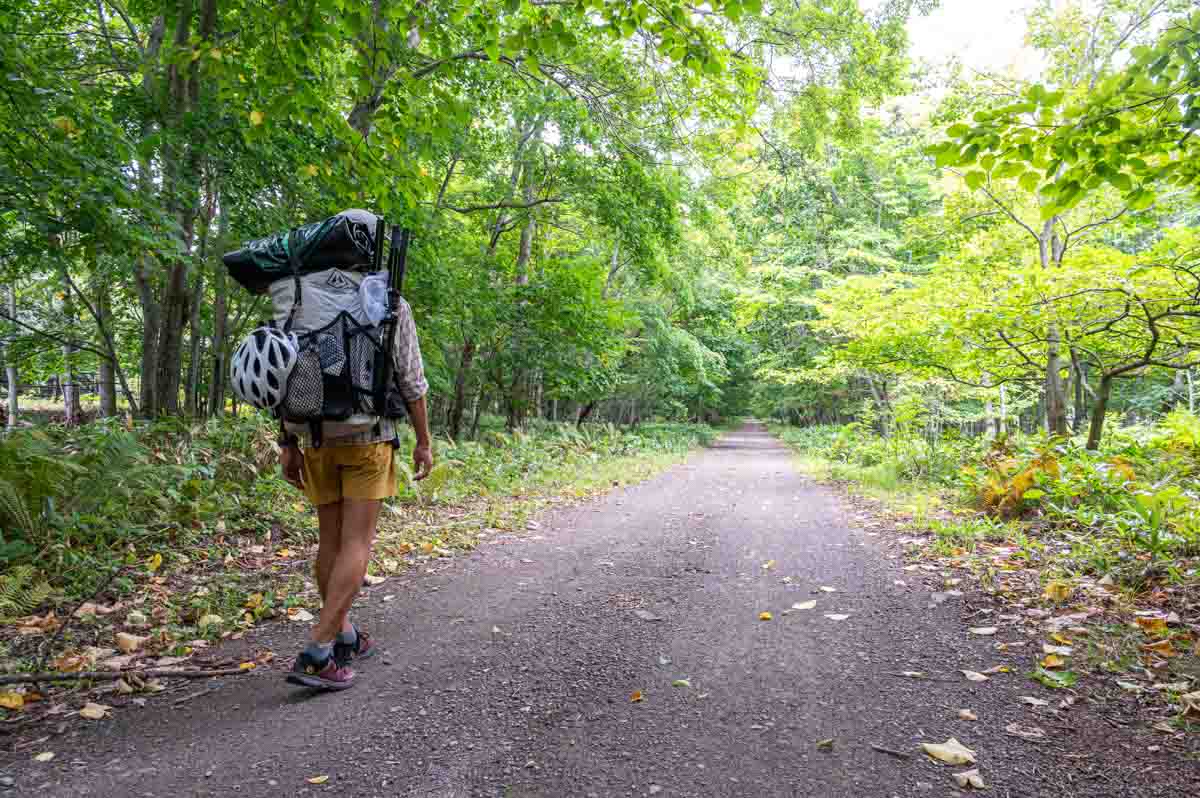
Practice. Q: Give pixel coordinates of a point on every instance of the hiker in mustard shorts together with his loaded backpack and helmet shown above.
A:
(323, 367)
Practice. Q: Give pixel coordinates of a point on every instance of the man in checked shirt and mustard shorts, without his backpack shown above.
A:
(347, 478)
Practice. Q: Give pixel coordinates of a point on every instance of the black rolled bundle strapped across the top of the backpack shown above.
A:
(344, 242)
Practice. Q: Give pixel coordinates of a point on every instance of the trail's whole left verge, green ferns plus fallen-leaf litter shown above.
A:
(130, 545)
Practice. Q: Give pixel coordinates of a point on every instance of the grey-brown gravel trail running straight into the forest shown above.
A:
(509, 674)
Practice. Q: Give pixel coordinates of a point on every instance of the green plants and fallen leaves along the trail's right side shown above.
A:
(1105, 542)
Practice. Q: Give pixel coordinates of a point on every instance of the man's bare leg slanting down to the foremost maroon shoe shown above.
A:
(345, 580)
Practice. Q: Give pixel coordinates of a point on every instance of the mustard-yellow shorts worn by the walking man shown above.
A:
(358, 472)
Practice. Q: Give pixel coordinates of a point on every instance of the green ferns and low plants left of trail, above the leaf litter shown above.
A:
(81, 506)
